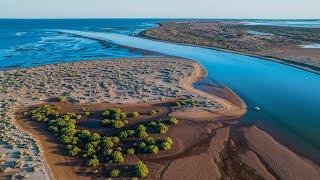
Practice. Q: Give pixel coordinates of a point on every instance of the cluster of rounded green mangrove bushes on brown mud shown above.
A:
(98, 150)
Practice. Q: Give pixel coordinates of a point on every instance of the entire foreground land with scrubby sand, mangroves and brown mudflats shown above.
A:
(207, 143)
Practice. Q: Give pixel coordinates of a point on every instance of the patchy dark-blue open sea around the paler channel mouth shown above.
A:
(26, 43)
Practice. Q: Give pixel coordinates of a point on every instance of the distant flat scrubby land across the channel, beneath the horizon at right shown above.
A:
(280, 44)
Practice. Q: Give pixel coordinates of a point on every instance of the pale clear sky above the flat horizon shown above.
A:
(270, 9)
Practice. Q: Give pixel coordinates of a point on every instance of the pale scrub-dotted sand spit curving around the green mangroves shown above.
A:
(112, 81)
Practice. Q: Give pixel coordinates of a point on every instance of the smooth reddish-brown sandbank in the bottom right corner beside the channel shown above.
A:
(285, 163)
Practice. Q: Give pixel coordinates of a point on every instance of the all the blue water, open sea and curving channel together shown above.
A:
(288, 97)
